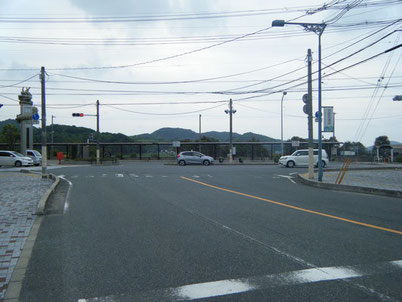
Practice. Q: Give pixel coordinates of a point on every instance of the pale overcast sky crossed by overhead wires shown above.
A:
(160, 63)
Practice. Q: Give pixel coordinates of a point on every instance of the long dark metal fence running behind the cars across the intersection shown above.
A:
(165, 150)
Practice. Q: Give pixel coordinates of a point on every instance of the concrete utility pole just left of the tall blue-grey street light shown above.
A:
(310, 117)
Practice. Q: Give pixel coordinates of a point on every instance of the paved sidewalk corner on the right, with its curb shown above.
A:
(382, 180)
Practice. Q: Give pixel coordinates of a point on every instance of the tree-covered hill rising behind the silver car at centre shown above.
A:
(172, 134)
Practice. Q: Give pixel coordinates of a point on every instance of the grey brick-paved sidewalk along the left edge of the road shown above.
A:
(19, 197)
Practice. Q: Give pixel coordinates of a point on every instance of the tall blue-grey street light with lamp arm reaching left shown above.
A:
(317, 28)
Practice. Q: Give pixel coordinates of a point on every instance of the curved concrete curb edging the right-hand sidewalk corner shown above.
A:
(384, 192)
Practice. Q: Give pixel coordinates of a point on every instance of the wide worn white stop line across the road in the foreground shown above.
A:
(234, 286)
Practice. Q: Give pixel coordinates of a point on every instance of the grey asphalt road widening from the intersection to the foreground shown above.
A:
(149, 232)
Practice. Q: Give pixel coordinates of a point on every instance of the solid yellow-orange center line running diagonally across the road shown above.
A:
(296, 208)
